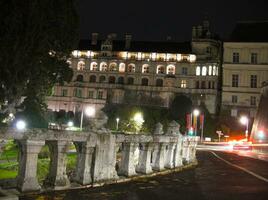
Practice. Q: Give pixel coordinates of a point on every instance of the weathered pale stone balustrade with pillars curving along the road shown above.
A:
(101, 155)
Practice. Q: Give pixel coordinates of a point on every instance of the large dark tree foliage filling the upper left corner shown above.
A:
(36, 38)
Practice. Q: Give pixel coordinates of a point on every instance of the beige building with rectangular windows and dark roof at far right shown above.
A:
(245, 68)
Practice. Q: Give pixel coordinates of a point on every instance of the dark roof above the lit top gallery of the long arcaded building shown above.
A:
(141, 46)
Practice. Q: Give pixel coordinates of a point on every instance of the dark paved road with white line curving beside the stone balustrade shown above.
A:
(213, 178)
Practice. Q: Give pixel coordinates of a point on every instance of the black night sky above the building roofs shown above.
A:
(157, 19)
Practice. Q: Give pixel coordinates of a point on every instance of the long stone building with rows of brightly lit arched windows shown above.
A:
(143, 73)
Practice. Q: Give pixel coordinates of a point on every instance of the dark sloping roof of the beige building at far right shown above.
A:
(250, 31)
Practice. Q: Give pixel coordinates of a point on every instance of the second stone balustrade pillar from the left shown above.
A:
(57, 177)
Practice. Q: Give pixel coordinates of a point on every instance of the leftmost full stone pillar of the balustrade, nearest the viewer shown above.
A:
(27, 179)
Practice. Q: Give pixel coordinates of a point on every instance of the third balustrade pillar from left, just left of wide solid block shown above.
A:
(83, 171)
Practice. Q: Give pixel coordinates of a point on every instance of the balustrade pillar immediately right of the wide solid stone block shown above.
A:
(127, 163)
